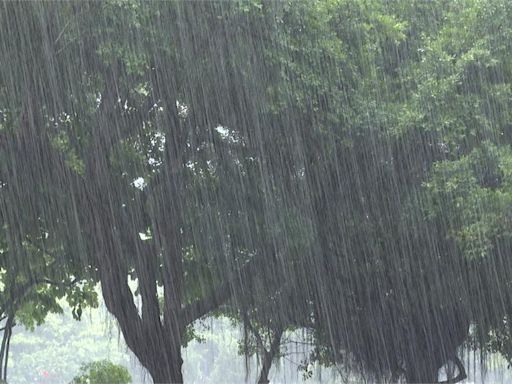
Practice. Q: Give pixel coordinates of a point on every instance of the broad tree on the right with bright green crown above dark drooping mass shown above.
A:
(410, 96)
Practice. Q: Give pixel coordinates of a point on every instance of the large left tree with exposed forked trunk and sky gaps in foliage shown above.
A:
(110, 144)
